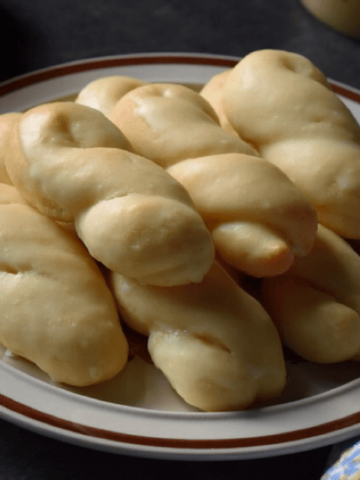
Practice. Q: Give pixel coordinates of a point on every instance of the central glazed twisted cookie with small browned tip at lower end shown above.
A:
(175, 124)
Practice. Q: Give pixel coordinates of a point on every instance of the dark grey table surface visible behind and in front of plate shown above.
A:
(43, 33)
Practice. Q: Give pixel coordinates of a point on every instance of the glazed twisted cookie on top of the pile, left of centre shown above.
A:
(70, 162)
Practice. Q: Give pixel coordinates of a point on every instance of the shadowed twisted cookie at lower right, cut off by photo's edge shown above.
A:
(316, 304)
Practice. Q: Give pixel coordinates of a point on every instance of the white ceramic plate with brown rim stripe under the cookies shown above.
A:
(138, 413)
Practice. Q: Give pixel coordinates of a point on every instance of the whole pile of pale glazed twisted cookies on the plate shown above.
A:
(151, 204)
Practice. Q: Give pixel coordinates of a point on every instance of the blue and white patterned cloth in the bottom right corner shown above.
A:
(344, 461)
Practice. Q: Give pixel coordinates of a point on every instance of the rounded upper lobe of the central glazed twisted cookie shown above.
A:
(169, 123)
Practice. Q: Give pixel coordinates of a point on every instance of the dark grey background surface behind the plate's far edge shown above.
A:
(40, 33)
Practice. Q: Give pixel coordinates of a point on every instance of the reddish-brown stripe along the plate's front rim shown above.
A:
(198, 444)
